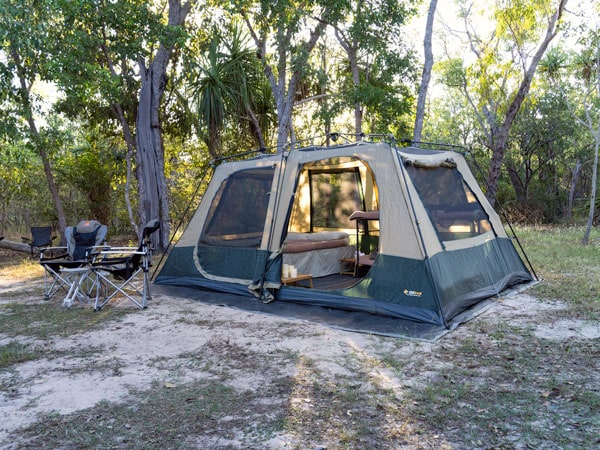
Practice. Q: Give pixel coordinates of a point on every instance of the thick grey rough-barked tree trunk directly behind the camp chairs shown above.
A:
(152, 182)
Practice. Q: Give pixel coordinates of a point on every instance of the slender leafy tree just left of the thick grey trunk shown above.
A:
(93, 65)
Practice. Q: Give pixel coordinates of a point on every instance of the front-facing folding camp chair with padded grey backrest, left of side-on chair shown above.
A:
(65, 272)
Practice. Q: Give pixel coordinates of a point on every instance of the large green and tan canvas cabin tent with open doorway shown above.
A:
(396, 231)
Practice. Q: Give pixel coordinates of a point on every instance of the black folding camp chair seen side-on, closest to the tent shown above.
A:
(118, 270)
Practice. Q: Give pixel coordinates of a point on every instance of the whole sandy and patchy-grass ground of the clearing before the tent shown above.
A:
(182, 374)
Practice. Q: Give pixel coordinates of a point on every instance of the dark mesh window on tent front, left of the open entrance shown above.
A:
(239, 209)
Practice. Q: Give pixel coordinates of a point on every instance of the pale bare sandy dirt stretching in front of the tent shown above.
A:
(150, 345)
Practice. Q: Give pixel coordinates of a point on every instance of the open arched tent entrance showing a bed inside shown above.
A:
(321, 239)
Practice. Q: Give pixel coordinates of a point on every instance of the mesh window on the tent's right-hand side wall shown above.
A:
(453, 207)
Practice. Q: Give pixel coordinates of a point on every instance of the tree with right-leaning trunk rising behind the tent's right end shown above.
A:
(497, 83)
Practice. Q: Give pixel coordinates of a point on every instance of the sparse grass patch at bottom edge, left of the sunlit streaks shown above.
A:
(199, 414)
